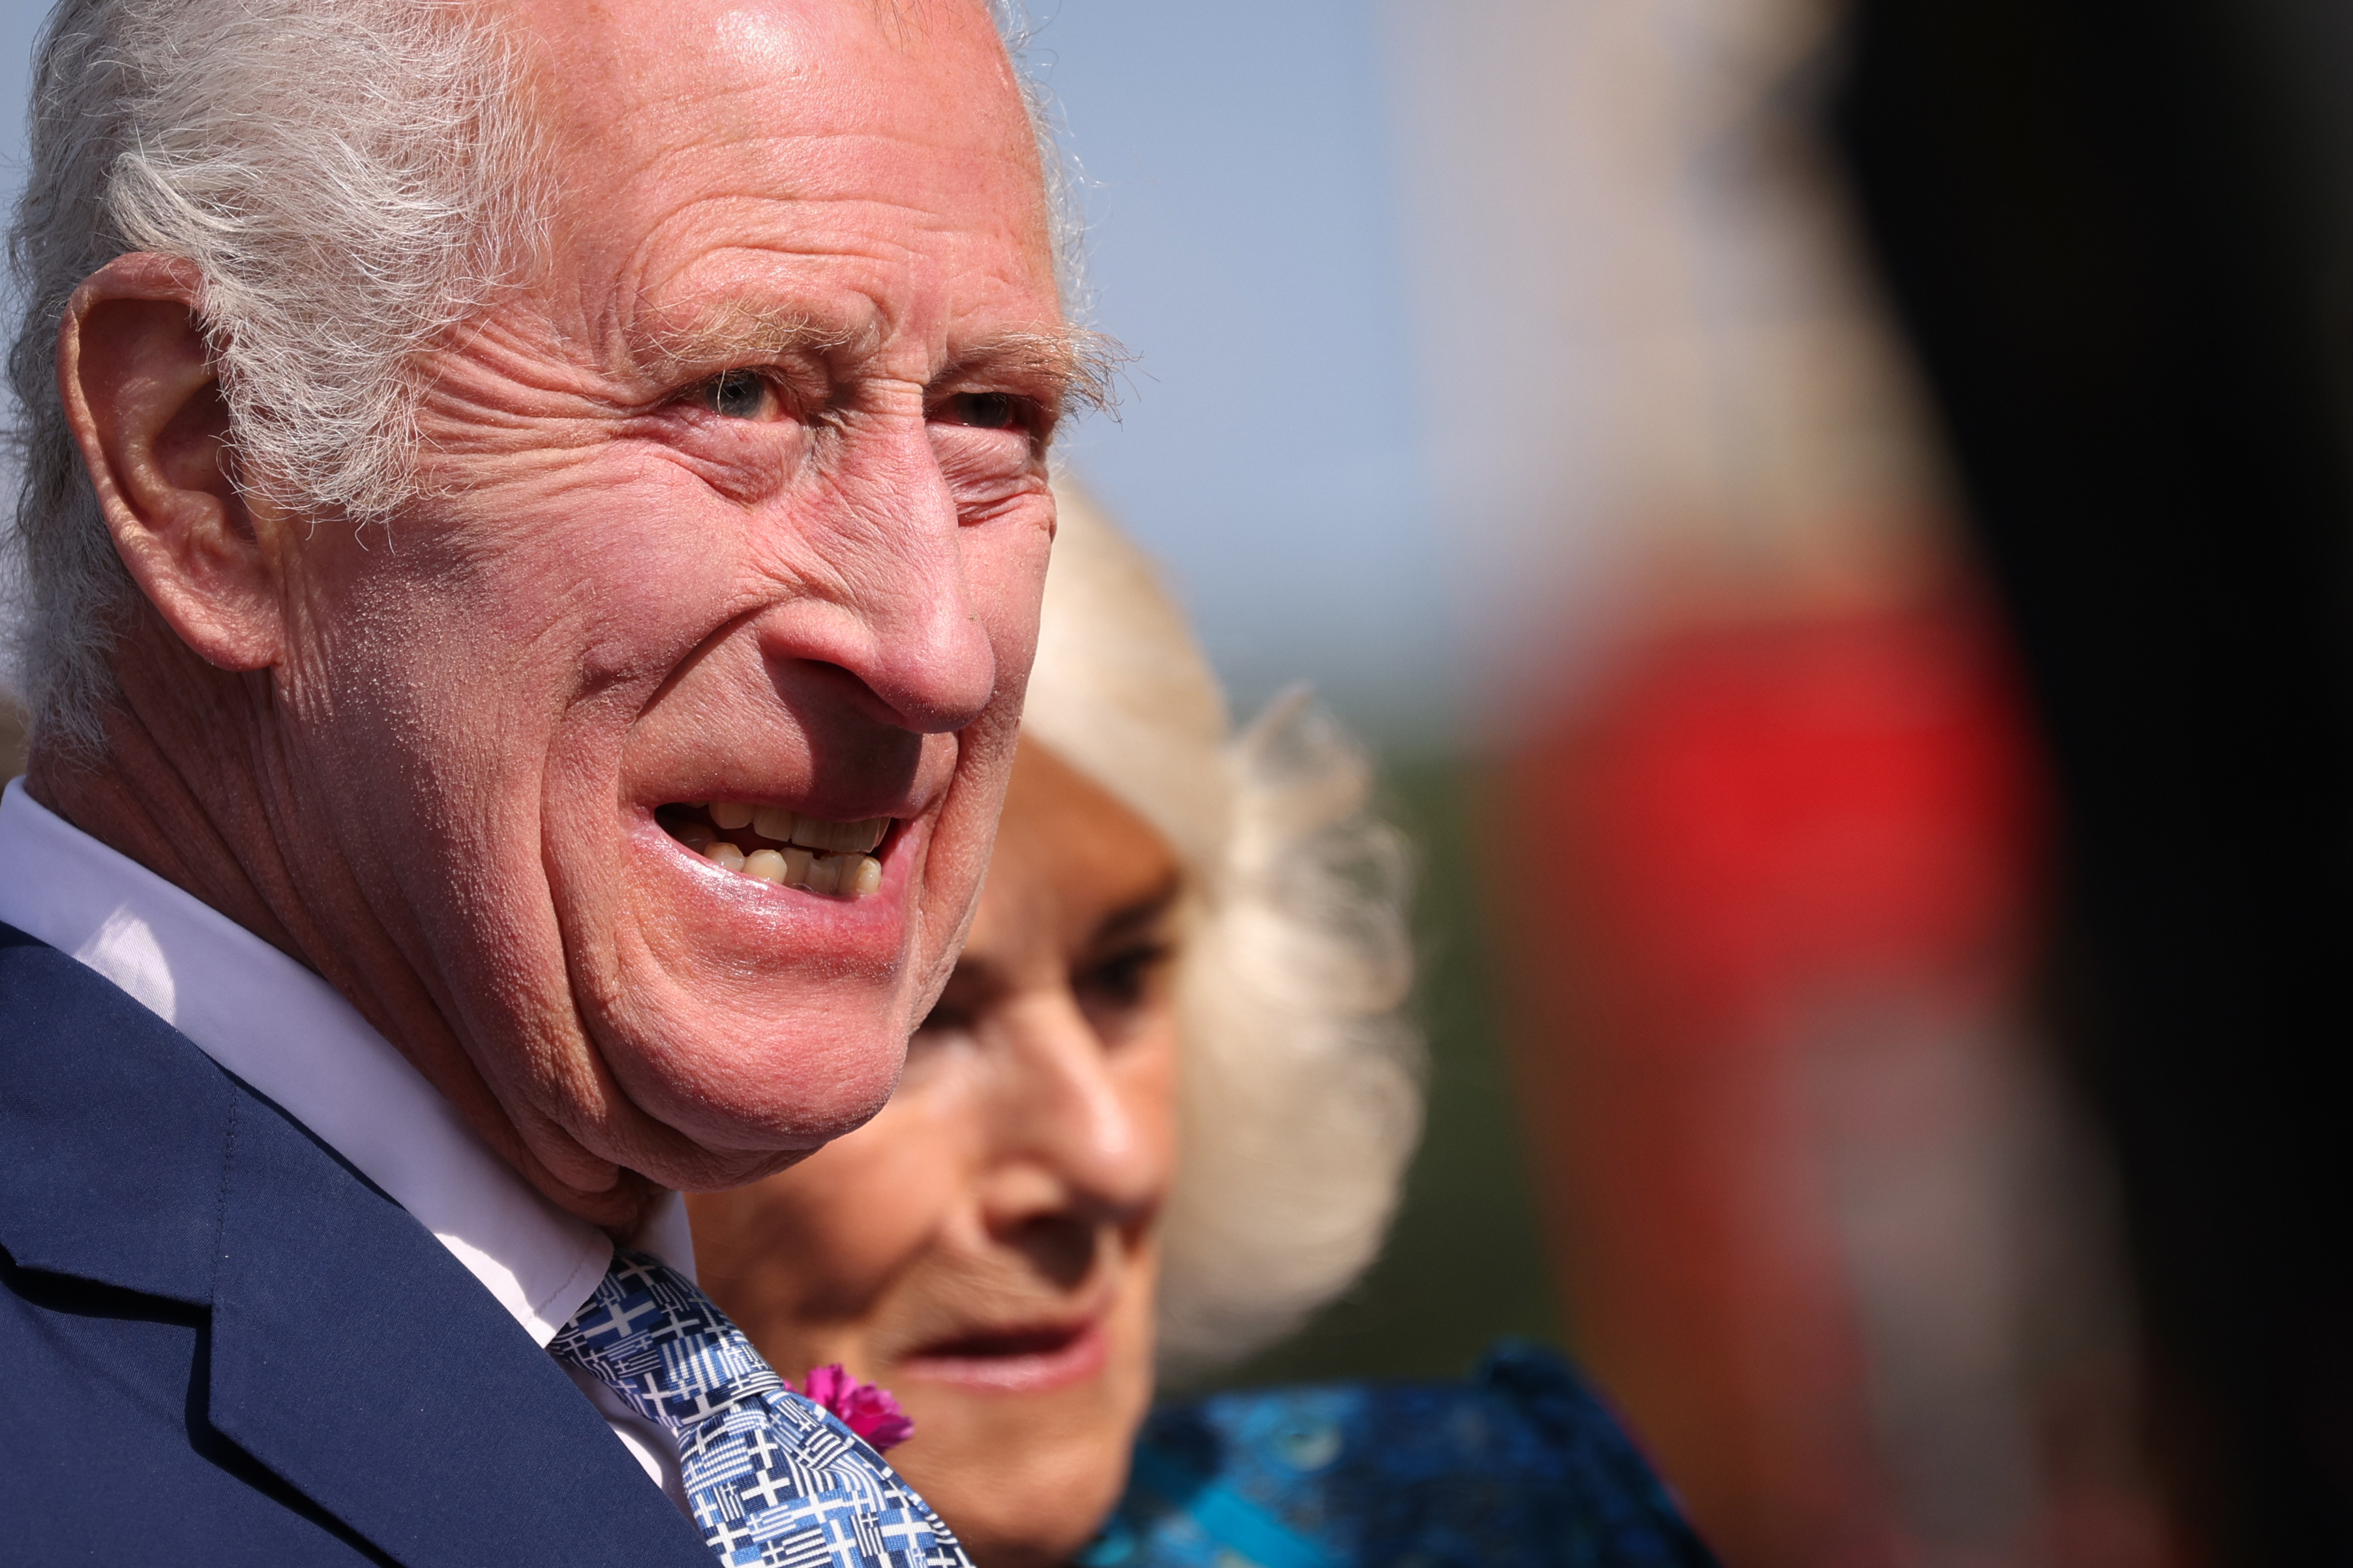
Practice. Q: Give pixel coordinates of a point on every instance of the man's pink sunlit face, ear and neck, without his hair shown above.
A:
(740, 497)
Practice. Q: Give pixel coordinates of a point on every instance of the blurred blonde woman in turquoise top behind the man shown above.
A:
(1156, 1120)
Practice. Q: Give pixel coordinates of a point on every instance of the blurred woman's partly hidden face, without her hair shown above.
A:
(985, 1247)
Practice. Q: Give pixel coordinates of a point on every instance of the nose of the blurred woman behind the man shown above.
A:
(1069, 1139)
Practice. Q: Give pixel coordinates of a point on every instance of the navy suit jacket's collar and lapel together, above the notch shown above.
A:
(349, 1351)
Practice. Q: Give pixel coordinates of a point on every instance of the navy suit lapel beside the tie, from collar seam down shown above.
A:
(361, 1362)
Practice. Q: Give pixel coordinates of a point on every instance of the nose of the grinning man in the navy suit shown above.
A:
(905, 615)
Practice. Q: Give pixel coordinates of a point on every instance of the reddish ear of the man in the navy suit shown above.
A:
(147, 413)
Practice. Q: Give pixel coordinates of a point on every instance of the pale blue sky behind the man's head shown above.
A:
(1246, 248)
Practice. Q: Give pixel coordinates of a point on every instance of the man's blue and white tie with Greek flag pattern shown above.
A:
(775, 1480)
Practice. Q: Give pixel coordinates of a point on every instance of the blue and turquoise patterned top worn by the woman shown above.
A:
(1517, 1468)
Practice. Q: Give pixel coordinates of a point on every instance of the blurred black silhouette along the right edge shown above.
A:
(2119, 241)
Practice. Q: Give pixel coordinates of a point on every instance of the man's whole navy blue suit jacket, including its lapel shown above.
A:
(222, 1346)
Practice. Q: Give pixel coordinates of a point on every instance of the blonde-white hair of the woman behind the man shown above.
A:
(1302, 1080)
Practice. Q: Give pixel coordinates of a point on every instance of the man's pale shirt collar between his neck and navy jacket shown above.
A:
(300, 1043)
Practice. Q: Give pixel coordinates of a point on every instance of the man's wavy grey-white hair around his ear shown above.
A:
(349, 177)
